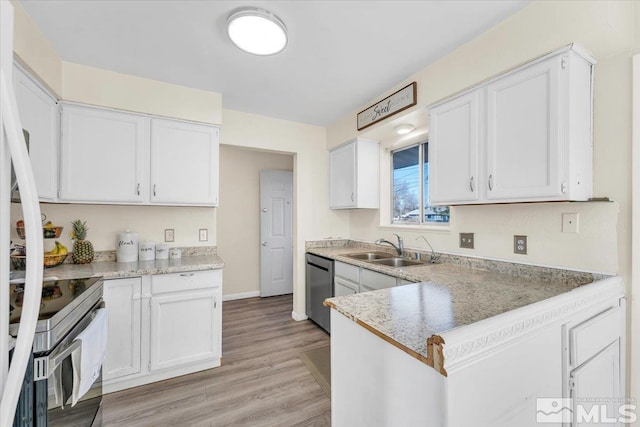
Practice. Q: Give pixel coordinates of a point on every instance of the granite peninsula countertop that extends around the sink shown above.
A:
(449, 296)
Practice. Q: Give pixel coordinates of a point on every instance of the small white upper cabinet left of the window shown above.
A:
(354, 175)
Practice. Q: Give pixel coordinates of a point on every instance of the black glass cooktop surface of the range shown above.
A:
(56, 296)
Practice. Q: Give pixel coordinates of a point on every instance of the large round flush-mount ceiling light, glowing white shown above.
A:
(257, 31)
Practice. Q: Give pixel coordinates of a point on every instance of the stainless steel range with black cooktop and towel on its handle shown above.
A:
(67, 308)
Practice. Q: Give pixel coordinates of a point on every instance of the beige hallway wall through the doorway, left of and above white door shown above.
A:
(239, 217)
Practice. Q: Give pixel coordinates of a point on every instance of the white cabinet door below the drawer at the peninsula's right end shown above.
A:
(596, 379)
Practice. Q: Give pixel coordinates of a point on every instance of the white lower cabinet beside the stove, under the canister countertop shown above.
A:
(162, 326)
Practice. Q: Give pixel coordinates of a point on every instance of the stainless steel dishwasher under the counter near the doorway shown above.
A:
(319, 286)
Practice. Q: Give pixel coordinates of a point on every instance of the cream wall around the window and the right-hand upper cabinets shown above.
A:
(607, 30)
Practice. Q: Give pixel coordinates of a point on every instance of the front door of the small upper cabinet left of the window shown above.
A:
(342, 177)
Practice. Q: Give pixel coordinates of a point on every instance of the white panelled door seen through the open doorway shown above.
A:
(276, 233)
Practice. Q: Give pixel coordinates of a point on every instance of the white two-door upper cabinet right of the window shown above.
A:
(532, 140)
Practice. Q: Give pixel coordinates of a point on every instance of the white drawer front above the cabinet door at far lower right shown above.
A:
(593, 335)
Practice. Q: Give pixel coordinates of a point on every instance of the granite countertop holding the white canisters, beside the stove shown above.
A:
(114, 270)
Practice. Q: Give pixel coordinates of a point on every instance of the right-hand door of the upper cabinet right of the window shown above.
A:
(523, 133)
